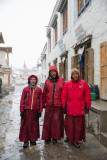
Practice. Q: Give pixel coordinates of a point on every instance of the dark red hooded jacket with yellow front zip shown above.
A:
(31, 98)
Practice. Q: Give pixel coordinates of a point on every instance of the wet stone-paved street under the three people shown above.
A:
(12, 149)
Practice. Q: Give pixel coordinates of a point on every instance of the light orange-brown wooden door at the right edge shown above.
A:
(103, 70)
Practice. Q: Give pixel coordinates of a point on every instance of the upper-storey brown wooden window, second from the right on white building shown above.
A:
(65, 20)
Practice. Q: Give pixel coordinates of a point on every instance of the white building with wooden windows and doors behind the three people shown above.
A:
(78, 29)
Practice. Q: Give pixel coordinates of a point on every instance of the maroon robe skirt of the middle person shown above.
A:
(53, 127)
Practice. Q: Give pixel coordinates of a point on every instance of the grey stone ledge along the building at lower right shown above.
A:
(96, 120)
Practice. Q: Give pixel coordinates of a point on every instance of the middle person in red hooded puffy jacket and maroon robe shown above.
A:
(53, 128)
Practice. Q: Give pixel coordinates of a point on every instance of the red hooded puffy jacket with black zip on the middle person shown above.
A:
(52, 91)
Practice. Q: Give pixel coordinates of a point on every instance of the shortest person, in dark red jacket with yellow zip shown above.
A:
(30, 108)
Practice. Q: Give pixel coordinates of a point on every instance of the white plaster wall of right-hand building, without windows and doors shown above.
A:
(94, 22)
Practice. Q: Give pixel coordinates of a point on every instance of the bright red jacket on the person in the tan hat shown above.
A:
(76, 94)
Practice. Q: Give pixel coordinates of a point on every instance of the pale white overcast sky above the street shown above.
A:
(22, 23)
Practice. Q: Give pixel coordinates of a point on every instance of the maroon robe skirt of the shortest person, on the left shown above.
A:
(29, 129)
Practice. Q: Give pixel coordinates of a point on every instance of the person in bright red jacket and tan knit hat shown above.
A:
(75, 96)
